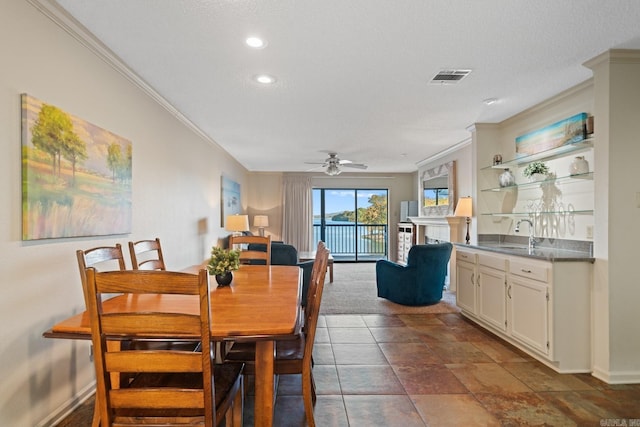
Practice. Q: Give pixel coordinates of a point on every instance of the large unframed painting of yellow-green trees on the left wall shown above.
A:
(76, 176)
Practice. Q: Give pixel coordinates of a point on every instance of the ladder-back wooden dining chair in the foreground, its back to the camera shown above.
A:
(168, 387)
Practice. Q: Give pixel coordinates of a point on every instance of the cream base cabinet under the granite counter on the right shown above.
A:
(541, 307)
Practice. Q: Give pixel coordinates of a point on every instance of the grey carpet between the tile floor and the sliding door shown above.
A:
(354, 291)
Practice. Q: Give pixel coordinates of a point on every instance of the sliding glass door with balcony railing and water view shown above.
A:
(352, 222)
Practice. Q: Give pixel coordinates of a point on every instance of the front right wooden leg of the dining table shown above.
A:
(265, 355)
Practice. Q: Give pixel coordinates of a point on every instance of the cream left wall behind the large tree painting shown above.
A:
(176, 183)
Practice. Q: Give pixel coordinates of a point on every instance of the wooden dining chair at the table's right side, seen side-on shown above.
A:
(295, 356)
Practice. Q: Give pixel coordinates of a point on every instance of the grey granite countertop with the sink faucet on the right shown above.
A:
(558, 252)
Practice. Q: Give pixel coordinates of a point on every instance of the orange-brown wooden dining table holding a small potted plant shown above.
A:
(262, 304)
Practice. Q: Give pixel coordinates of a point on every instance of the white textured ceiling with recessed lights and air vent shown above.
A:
(353, 75)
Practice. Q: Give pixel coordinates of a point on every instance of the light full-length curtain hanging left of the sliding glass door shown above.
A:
(297, 212)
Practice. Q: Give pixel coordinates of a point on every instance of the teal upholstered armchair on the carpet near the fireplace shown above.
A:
(421, 281)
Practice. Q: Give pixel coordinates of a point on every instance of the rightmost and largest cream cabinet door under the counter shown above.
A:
(529, 314)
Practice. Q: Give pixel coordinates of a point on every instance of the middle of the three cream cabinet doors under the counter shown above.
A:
(492, 301)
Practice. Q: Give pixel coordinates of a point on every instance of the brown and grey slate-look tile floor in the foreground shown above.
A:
(435, 370)
